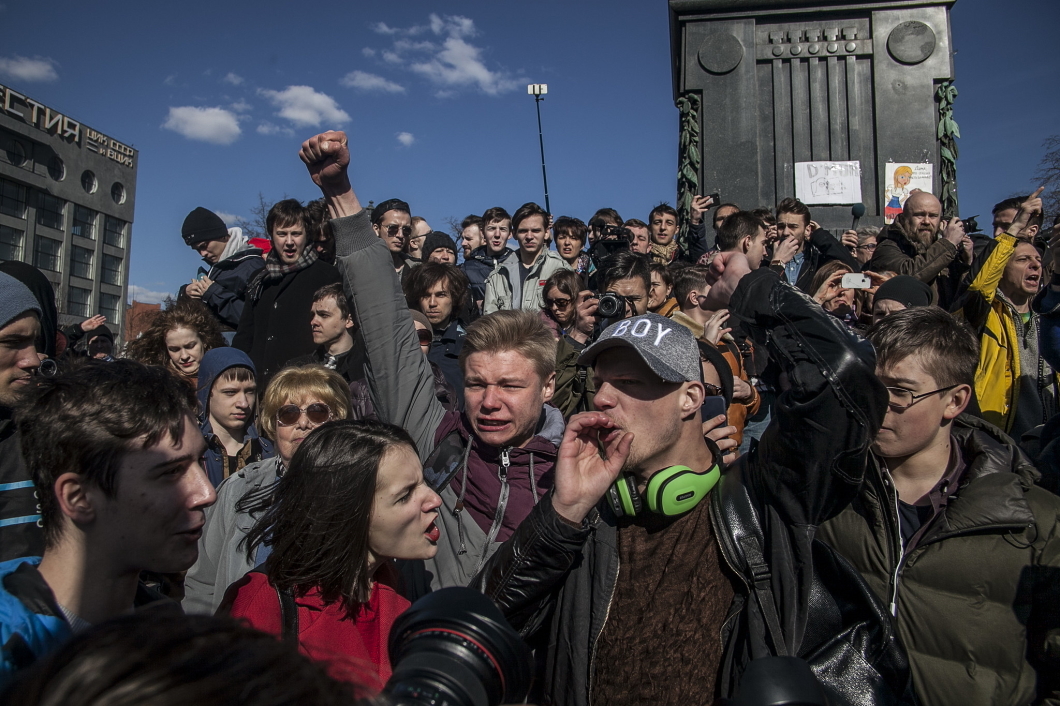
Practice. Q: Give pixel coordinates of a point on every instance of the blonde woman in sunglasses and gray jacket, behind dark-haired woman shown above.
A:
(296, 402)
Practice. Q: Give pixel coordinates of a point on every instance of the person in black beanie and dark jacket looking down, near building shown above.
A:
(234, 262)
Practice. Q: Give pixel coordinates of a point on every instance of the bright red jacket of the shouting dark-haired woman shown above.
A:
(354, 650)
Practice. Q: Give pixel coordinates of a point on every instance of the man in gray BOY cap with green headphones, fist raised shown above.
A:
(658, 574)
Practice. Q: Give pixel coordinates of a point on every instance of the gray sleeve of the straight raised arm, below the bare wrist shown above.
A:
(399, 378)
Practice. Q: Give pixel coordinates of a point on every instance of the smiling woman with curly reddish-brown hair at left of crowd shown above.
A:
(178, 340)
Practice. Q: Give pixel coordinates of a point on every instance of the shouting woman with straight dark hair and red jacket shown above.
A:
(354, 499)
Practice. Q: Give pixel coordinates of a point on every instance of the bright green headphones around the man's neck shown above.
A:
(670, 492)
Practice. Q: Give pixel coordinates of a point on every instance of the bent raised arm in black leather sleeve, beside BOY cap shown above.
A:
(812, 458)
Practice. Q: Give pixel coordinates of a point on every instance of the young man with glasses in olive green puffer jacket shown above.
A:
(950, 531)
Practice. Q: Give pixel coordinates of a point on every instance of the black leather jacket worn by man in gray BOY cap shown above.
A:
(800, 597)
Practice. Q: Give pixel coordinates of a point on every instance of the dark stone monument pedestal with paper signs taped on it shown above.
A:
(790, 81)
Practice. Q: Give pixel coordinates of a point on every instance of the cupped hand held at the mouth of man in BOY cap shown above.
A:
(591, 457)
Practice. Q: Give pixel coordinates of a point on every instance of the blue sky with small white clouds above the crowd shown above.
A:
(218, 98)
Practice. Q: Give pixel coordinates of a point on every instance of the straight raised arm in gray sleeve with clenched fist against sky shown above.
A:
(401, 382)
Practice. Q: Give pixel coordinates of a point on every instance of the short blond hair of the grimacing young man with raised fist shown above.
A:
(513, 330)
